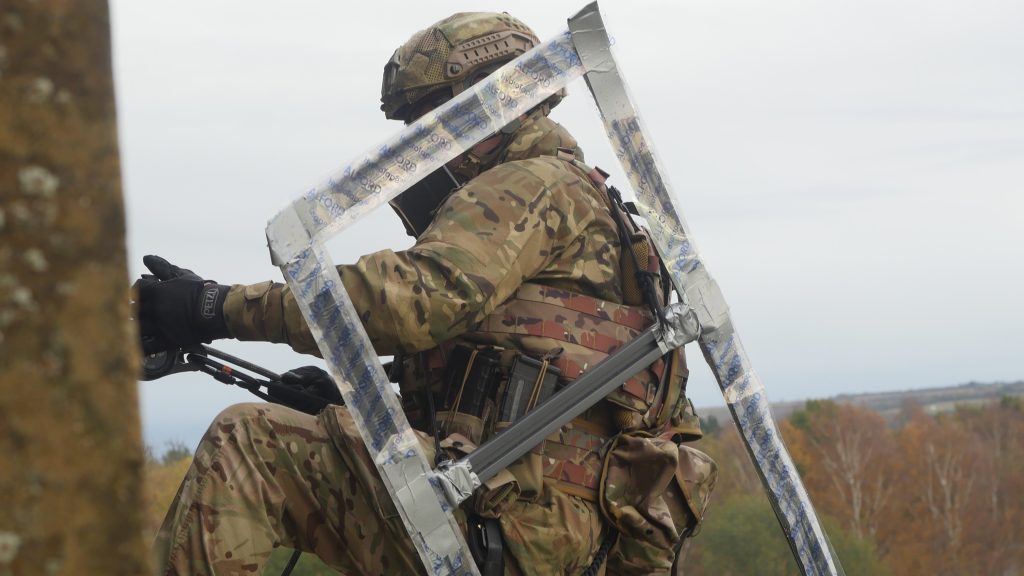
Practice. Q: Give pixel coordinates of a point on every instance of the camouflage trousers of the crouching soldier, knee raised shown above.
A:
(266, 476)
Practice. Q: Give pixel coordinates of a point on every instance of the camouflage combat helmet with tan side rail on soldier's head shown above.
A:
(449, 57)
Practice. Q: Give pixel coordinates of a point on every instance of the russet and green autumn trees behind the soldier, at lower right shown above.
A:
(938, 495)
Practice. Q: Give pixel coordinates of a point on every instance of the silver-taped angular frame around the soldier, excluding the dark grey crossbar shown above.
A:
(296, 236)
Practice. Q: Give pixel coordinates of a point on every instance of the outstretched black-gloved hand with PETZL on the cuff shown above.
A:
(177, 308)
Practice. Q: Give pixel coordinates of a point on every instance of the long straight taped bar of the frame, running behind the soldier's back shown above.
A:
(718, 340)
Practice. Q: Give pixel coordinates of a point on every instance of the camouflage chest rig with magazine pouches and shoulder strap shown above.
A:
(539, 342)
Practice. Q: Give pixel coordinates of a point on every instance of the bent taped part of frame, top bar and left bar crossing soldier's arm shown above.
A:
(296, 235)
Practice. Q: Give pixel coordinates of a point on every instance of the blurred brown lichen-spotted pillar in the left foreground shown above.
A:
(71, 458)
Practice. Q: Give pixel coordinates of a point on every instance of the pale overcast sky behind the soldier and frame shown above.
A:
(852, 172)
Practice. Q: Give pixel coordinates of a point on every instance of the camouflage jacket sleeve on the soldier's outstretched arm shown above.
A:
(498, 231)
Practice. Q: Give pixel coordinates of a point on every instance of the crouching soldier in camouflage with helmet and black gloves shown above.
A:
(518, 271)
